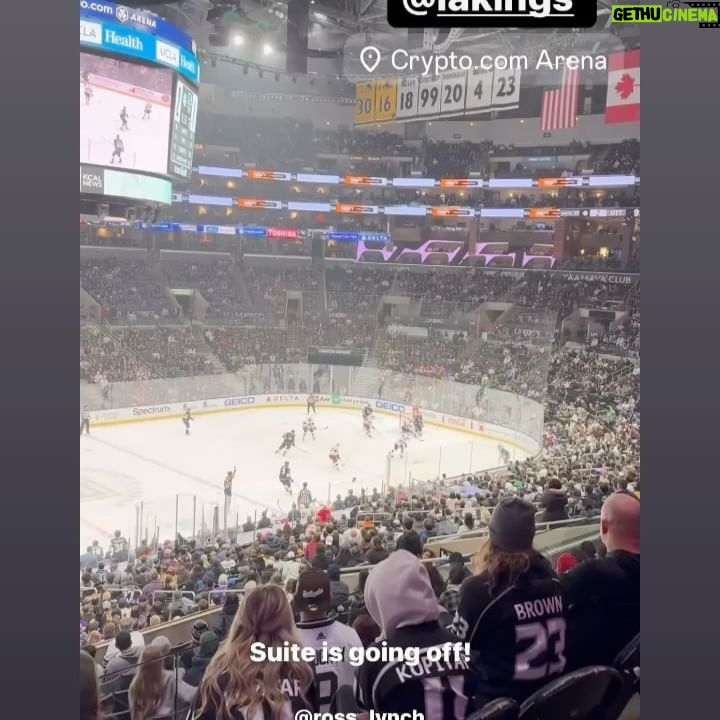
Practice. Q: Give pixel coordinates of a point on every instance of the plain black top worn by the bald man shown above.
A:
(603, 599)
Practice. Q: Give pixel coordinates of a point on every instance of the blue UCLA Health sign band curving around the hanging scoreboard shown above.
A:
(118, 39)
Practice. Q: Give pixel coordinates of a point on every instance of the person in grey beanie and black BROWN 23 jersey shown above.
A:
(511, 611)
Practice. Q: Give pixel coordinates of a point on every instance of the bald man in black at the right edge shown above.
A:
(603, 596)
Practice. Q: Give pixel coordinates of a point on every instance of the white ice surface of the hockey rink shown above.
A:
(152, 462)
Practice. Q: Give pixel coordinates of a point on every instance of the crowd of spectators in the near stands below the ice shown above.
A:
(288, 575)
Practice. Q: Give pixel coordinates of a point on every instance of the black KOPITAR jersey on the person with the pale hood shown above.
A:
(438, 688)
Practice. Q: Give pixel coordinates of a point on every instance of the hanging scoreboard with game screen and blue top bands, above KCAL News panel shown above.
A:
(139, 77)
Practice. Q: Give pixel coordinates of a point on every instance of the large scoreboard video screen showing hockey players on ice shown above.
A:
(125, 111)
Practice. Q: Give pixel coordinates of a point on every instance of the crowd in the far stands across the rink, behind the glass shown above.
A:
(268, 329)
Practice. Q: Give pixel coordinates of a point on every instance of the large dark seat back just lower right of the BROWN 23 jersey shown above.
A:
(584, 694)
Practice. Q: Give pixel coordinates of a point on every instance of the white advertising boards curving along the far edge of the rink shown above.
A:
(219, 405)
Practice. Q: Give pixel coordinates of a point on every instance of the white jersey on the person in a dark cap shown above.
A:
(330, 676)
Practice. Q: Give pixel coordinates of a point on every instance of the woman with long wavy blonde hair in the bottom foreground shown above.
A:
(238, 687)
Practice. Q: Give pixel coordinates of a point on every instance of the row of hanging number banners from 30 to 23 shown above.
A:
(449, 94)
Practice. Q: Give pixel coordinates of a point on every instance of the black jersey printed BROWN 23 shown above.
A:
(516, 631)
